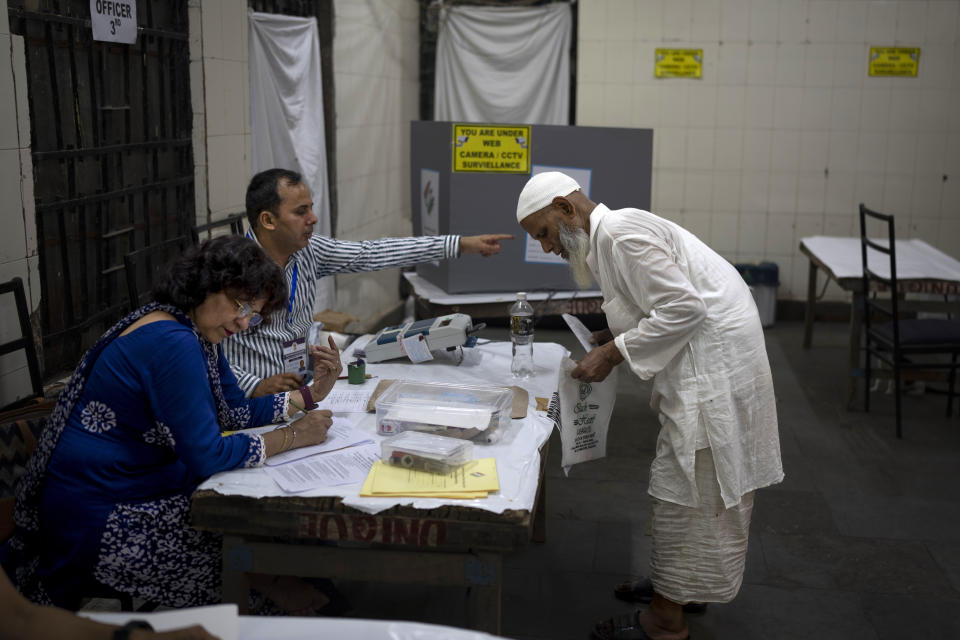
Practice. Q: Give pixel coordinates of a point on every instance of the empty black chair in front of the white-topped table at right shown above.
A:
(902, 343)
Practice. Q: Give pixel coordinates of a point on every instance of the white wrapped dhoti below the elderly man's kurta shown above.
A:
(699, 553)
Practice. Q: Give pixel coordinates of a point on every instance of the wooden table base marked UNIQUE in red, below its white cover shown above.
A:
(320, 537)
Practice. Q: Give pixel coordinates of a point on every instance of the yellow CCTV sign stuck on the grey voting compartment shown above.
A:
(487, 148)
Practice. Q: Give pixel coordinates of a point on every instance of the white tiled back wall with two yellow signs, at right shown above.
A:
(785, 134)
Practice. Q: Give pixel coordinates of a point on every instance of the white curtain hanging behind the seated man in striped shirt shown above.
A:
(286, 110)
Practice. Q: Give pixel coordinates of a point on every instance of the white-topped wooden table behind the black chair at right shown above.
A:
(921, 268)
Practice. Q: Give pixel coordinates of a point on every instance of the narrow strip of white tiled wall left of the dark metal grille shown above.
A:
(18, 243)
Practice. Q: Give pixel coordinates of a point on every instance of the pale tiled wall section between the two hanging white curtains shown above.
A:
(376, 49)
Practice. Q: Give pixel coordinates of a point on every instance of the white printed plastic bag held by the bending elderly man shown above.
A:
(585, 409)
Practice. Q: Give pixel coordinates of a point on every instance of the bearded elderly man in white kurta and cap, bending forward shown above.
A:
(681, 314)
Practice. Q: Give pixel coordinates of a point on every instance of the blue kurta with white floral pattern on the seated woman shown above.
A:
(143, 434)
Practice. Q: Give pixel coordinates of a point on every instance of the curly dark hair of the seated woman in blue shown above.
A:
(223, 263)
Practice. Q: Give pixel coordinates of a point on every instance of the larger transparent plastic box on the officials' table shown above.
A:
(480, 414)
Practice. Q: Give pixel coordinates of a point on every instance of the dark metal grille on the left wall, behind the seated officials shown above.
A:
(112, 159)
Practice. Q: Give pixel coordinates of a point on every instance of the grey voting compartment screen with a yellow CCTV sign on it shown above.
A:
(466, 177)
